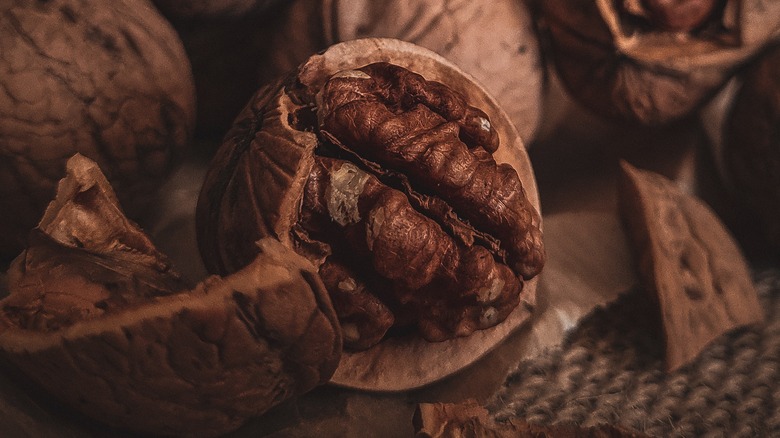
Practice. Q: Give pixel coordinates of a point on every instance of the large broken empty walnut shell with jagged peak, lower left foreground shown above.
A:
(97, 317)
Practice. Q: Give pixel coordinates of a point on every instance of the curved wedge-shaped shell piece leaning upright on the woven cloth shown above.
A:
(689, 261)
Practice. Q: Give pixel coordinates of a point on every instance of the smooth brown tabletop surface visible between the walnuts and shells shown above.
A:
(575, 157)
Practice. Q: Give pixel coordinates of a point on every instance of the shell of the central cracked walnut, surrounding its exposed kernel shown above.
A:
(256, 184)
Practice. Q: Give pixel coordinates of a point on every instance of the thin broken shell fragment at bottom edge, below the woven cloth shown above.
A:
(469, 419)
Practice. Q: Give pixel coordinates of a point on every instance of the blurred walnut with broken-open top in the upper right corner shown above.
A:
(650, 61)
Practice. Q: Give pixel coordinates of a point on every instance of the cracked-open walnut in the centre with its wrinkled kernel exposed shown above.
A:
(401, 179)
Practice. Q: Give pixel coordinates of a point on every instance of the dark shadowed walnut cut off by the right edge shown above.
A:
(743, 124)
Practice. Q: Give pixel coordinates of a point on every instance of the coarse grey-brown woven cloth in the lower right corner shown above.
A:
(610, 370)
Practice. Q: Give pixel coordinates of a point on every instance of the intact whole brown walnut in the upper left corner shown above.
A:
(109, 80)
